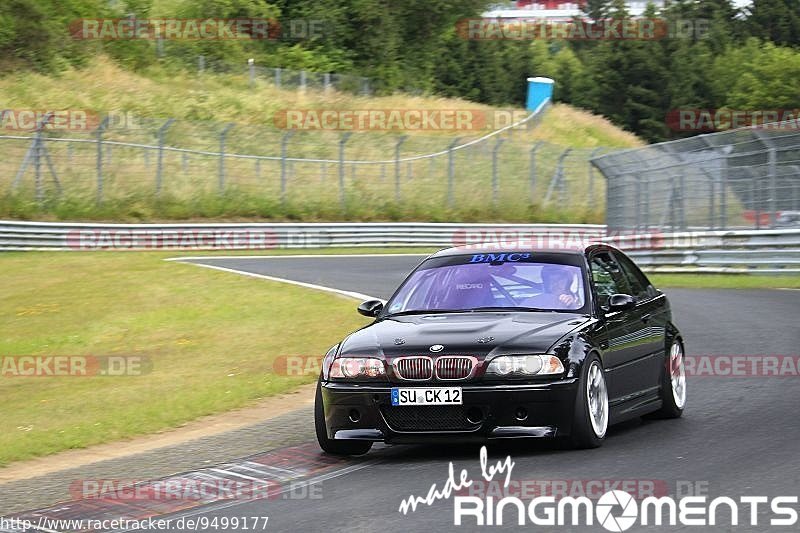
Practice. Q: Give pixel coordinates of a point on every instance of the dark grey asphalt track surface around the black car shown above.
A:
(738, 436)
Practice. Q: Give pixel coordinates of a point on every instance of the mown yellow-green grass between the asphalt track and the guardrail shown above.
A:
(211, 338)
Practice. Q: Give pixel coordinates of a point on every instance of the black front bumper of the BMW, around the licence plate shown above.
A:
(364, 412)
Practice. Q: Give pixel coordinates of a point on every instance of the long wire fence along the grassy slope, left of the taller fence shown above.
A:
(306, 174)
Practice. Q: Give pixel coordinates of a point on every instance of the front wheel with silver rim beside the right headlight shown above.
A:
(590, 421)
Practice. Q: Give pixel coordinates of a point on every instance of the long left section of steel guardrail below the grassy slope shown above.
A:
(262, 236)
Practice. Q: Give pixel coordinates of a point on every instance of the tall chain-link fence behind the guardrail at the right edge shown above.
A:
(744, 178)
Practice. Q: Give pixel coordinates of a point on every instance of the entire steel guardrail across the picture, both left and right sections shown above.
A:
(763, 251)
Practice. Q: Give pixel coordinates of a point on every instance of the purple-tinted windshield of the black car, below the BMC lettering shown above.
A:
(465, 284)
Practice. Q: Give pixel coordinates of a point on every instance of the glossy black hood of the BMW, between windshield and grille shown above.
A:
(478, 334)
